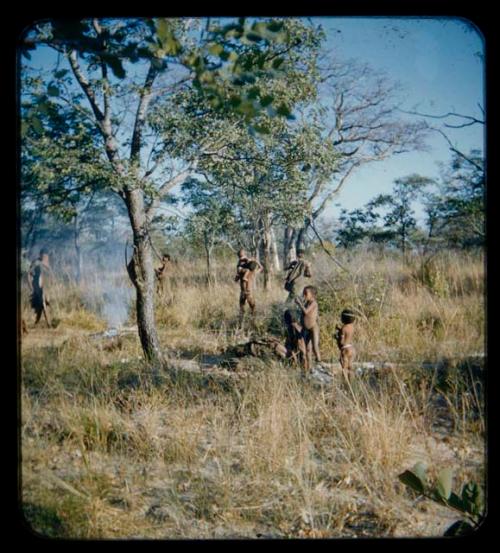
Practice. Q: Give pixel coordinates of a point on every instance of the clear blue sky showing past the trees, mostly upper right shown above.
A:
(440, 64)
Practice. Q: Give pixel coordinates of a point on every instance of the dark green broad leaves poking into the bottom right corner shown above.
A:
(470, 502)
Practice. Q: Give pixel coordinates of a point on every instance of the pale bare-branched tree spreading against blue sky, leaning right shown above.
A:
(358, 112)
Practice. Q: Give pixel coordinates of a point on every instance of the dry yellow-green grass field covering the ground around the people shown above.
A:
(108, 452)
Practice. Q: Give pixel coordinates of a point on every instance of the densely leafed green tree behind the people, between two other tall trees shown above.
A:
(265, 173)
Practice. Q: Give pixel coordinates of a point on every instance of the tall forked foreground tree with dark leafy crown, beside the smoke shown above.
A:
(113, 68)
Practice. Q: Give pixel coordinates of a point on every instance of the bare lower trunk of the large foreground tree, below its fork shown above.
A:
(144, 276)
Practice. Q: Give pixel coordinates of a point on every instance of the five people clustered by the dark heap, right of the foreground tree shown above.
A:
(301, 316)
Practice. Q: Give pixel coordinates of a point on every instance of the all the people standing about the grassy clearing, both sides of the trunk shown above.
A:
(301, 316)
